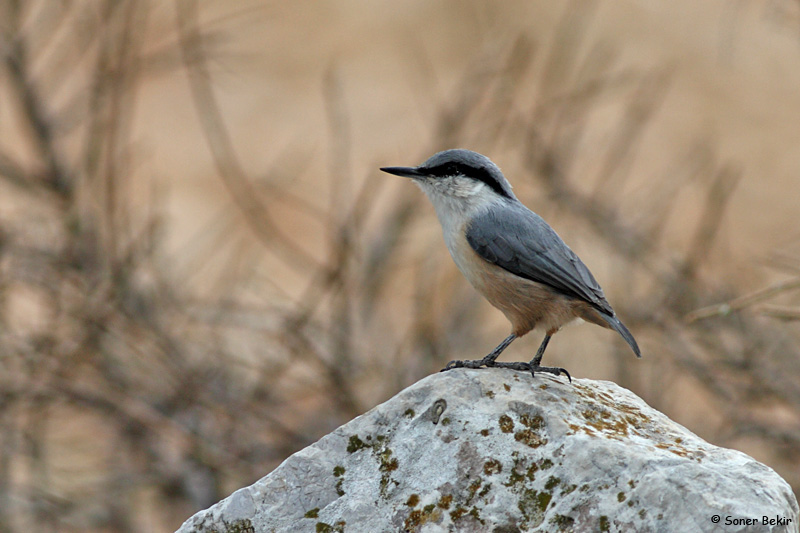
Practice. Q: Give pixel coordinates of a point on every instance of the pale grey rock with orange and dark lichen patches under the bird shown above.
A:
(499, 451)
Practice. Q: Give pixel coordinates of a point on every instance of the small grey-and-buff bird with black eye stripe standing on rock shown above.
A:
(510, 255)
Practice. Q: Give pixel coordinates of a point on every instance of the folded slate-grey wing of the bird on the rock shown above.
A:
(520, 241)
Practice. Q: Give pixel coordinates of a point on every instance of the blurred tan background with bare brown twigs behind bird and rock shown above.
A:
(202, 269)
